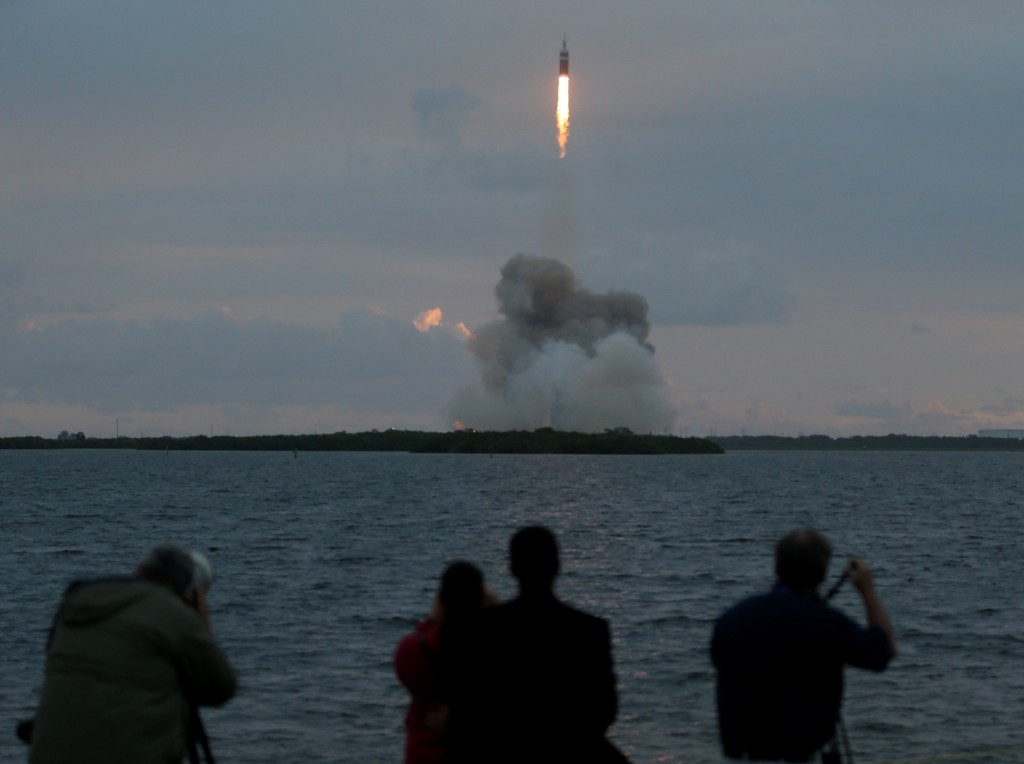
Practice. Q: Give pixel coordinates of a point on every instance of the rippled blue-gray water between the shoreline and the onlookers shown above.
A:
(324, 562)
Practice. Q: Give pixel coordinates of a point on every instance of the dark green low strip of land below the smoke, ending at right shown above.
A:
(546, 441)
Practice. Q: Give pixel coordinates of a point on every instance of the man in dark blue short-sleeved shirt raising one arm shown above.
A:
(780, 656)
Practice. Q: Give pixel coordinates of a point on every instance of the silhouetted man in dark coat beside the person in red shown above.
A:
(536, 683)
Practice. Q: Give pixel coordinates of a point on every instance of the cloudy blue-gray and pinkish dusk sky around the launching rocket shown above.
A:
(228, 218)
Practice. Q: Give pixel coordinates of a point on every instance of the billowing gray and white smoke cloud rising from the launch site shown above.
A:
(563, 357)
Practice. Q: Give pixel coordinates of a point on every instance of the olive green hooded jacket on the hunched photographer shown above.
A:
(126, 658)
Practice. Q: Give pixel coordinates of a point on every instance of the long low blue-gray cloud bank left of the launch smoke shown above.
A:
(372, 362)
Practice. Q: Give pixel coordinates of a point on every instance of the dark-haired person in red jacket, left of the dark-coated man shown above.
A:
(419, 660)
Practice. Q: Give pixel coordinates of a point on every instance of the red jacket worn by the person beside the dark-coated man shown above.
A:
(417, 671)
